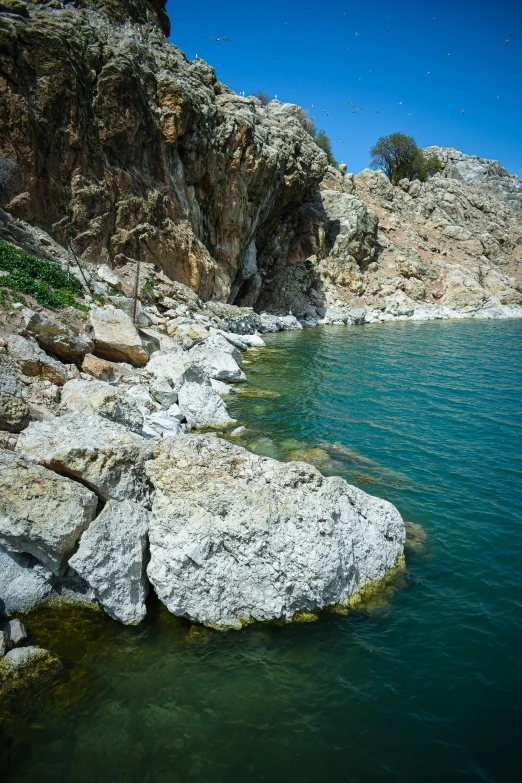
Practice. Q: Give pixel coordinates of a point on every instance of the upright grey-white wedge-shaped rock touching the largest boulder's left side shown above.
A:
(111, 559)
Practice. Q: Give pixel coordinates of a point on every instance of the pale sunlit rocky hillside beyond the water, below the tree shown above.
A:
(454, 241)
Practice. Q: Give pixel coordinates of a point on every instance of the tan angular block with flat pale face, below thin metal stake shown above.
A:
(116, 337)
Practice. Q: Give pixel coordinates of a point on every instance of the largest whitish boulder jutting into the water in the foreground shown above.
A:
(235, 537)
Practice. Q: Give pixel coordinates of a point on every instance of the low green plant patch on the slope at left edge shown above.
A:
(46, 281)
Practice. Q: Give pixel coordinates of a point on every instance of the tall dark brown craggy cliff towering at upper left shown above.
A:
(131, 151)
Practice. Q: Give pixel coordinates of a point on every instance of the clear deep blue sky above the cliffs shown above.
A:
(323, 64)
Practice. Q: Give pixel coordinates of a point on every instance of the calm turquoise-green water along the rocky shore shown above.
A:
(421, 684)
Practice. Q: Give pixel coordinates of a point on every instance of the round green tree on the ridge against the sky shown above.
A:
(399, 156)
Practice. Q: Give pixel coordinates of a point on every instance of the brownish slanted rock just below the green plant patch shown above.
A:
(56, 337)
